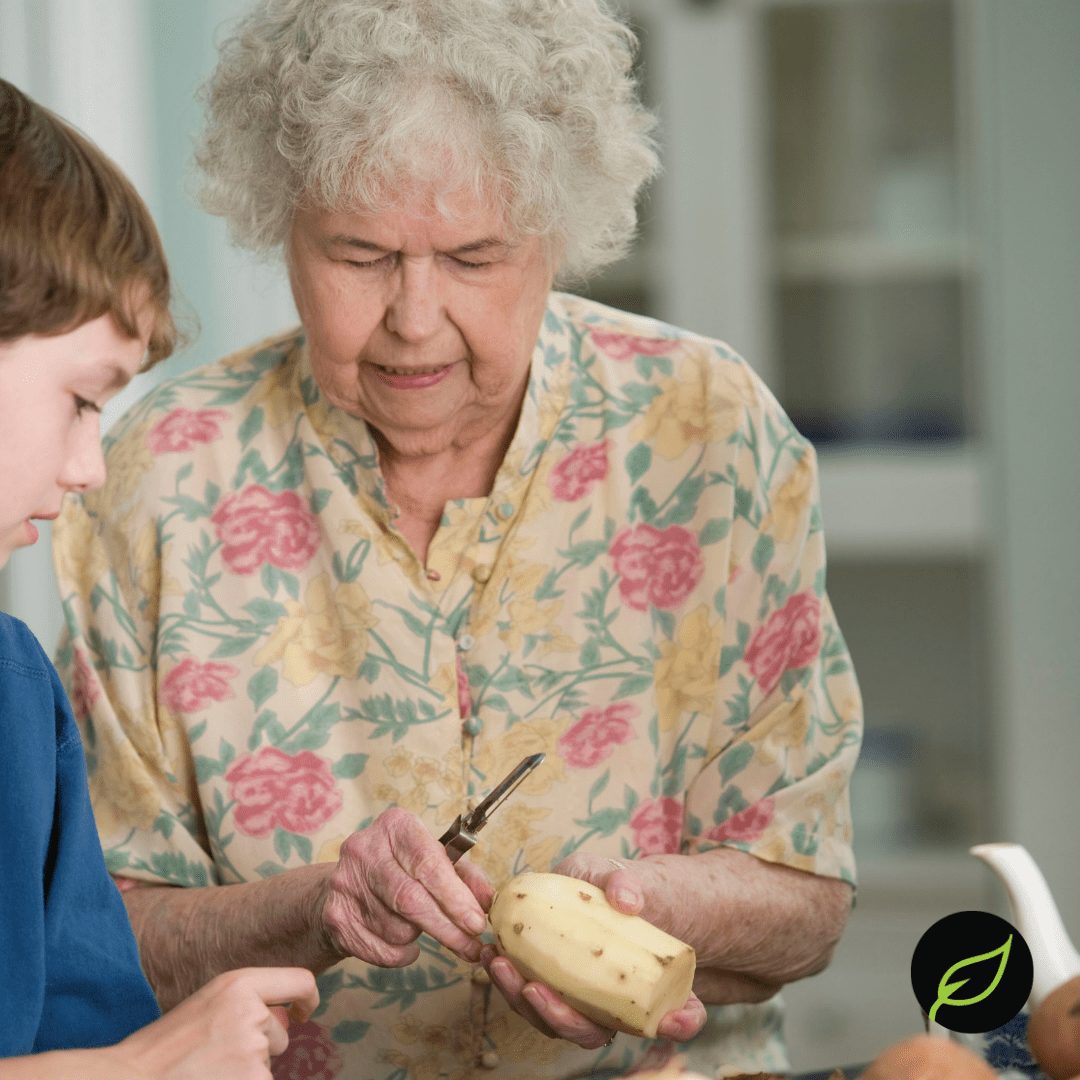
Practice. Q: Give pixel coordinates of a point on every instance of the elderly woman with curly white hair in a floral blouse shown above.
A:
(340, 584)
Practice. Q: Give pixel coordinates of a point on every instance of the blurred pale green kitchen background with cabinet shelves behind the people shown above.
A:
(877, 202)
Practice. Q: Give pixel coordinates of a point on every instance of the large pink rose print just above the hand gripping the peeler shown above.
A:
(273, 790)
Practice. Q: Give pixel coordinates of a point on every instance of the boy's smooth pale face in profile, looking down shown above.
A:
(52, 390)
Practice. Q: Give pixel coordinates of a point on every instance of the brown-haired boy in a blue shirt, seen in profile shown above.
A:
(85, 296)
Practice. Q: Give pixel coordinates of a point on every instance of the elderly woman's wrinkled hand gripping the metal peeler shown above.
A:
(394, 882)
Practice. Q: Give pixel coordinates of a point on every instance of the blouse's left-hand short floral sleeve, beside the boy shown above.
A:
(142, 775)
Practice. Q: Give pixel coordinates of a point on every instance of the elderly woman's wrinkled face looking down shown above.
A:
(423, 327)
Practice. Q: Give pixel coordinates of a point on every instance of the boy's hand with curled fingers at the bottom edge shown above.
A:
(232, 1028)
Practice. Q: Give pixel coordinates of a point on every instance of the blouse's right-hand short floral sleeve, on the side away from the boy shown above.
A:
(789, 718)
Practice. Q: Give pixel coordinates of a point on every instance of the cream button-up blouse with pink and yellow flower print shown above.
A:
(262, 665)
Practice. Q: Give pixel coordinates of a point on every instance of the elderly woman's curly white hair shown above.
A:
(345, 104)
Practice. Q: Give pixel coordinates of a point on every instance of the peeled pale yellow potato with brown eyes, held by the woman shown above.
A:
(617, 969)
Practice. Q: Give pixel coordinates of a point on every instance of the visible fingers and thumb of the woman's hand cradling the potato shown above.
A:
(545, 1009)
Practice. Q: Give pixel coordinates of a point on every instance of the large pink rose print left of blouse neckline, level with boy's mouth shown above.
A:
(258, 526)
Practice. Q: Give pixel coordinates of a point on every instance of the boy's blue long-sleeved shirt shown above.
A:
(70, 970)
